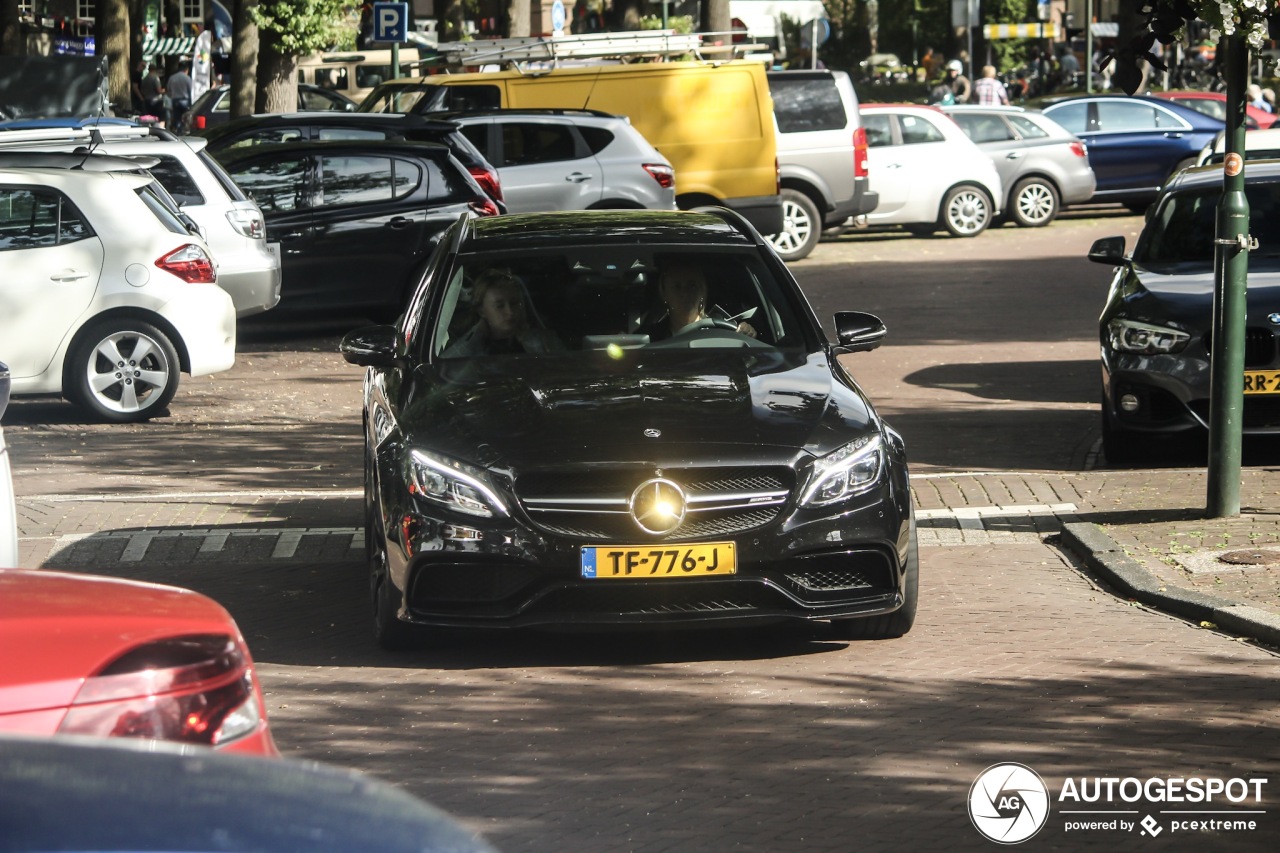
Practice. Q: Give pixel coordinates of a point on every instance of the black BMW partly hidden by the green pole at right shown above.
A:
(1158, 321)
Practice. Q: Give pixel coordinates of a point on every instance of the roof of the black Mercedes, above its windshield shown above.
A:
(573, 229)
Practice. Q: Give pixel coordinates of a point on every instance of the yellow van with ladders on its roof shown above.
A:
(712, 121)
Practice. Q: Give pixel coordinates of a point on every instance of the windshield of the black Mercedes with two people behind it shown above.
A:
(611, 300)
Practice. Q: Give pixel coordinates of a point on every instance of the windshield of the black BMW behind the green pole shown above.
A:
(1183, 229)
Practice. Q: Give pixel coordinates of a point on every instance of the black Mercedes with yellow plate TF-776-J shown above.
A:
(582, 459)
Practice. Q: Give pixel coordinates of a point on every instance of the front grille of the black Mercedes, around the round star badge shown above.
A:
(593, 507)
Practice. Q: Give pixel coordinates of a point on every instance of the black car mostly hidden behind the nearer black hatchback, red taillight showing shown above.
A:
(273, 129)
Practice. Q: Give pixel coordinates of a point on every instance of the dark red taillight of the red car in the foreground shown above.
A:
(193, 690)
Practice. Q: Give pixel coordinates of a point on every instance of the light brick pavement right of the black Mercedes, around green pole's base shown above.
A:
(1141, 532)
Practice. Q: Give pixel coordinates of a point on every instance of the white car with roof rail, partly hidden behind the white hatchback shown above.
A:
(230, 222)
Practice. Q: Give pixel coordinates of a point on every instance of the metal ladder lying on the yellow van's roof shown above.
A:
(646, 44)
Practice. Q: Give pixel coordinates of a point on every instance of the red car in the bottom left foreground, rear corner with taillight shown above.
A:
(104, 658)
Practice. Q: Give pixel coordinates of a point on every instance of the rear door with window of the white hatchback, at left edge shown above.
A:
(51, 264)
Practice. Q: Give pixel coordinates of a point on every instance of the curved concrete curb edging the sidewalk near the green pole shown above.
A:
(1108, 560)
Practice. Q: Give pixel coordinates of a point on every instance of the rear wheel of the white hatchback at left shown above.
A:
(124, 371)
